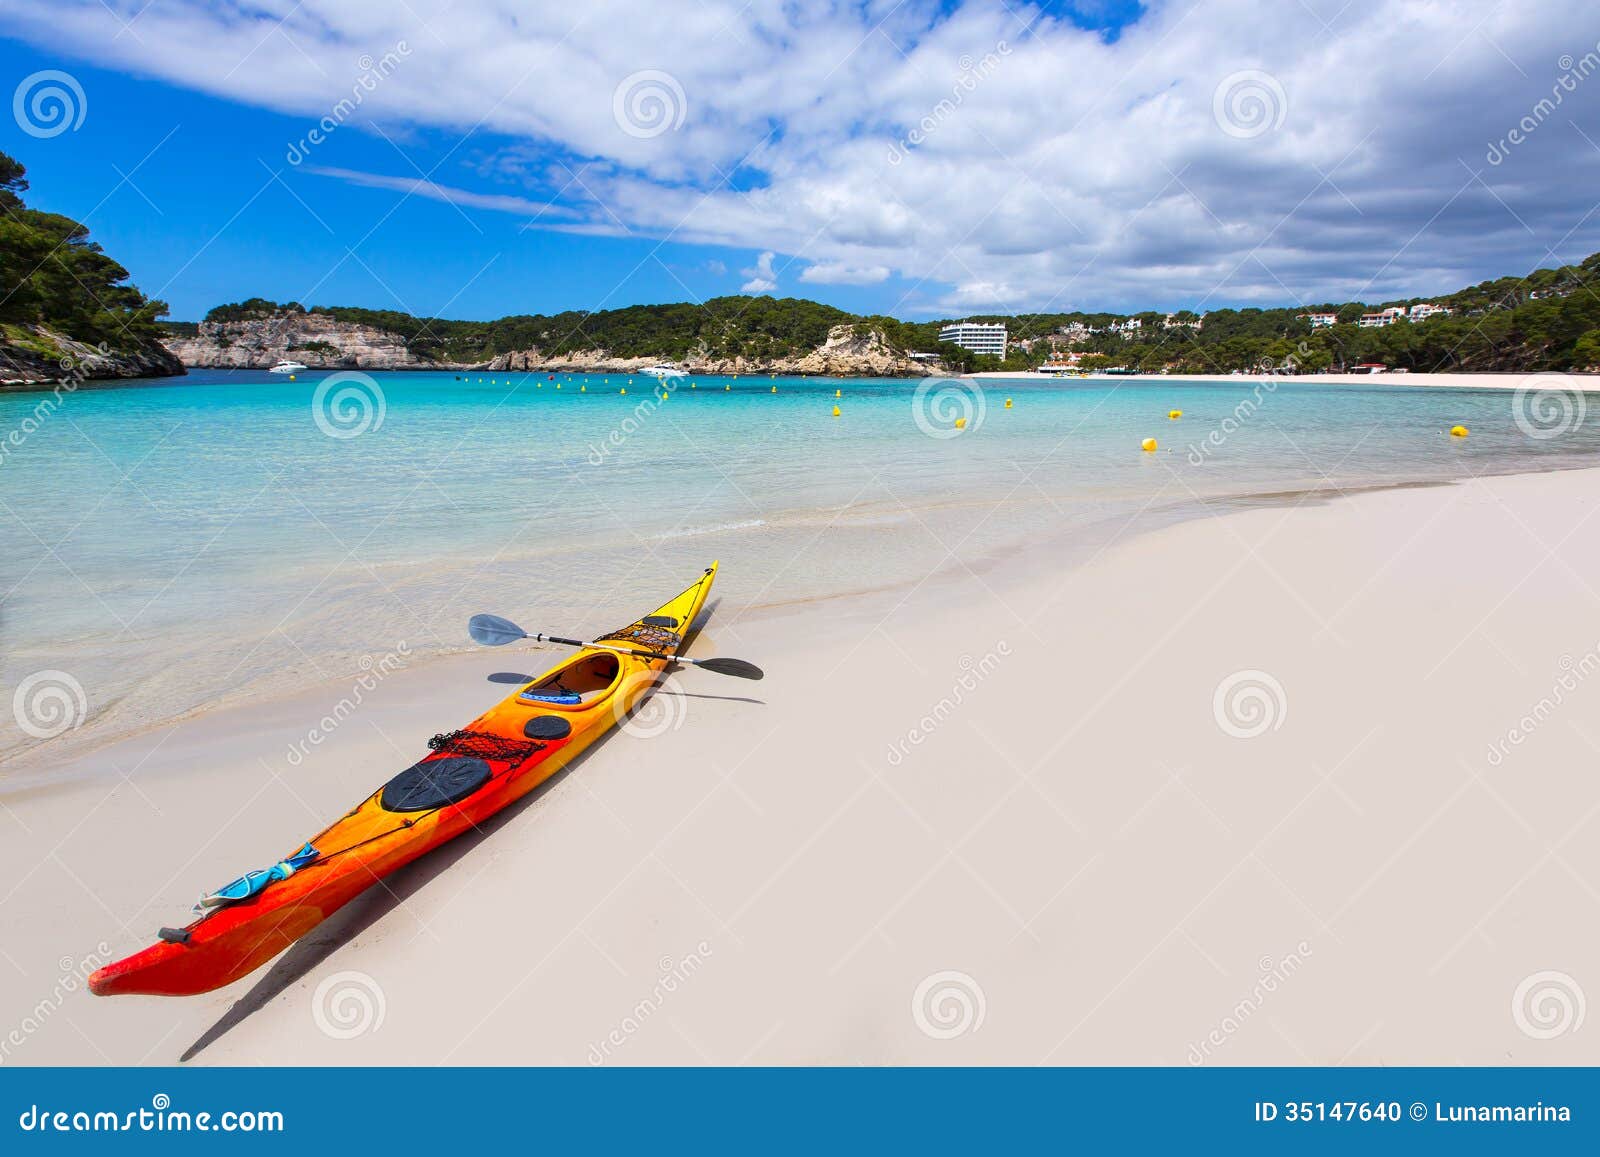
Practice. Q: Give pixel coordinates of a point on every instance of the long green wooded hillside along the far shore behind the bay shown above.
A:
(1546, 321)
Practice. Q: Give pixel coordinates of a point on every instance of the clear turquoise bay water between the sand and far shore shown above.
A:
(180, 545)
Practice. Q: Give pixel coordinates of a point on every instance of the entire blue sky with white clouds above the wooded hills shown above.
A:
(486, 158)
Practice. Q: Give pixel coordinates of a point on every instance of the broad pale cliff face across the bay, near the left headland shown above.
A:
(313, 338)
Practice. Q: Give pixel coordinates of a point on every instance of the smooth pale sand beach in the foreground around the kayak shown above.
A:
(1310, 782)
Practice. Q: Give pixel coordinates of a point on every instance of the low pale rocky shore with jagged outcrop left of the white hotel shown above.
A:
(846, 354)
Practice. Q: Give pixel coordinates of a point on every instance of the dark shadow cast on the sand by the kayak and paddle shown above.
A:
(391, 894)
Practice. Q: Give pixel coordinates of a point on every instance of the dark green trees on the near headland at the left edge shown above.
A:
(54, 276)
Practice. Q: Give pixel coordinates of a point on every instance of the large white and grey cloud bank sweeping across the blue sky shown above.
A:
(1070, 174)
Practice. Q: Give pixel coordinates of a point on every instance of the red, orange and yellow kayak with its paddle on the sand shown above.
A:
(466, 777)
